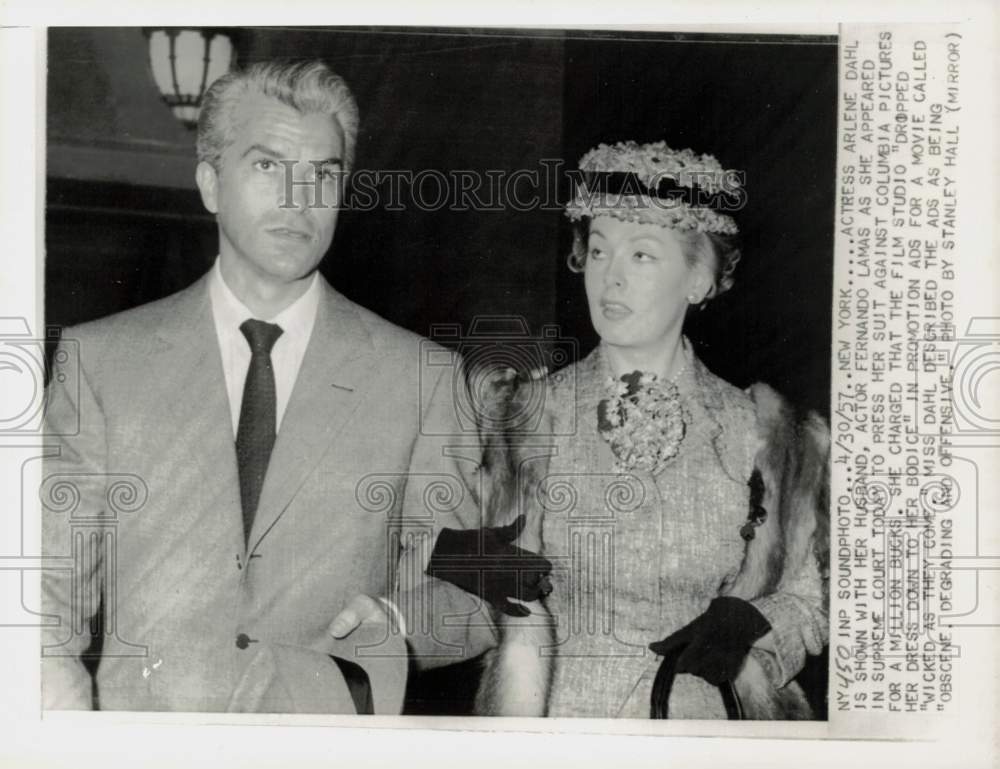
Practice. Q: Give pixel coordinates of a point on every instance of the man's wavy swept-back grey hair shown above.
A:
(309, 87)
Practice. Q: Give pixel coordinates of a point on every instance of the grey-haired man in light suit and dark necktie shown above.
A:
(273, 434)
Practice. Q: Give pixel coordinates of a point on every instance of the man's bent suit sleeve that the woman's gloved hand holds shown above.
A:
(444, 624)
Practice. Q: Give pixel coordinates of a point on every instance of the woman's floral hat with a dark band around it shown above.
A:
(653, 184)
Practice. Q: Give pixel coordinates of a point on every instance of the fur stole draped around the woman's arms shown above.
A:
(791, 458)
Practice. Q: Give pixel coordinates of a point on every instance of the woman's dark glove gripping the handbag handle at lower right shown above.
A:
(712, 646)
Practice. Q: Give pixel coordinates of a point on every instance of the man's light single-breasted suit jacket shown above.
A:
(144, 496)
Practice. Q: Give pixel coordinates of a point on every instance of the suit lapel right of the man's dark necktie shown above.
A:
(329, 387)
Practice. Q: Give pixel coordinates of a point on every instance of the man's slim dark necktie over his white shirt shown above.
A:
(258, 417)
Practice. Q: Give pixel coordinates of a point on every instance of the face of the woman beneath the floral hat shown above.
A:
(638, 281)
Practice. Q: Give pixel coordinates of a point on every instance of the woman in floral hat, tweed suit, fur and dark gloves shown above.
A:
(677, 510)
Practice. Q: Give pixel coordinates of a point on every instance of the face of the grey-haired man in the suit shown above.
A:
(257, 236)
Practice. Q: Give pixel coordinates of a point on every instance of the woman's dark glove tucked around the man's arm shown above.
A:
(486, 563)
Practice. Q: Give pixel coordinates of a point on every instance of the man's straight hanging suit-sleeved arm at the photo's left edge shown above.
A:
(73, 509)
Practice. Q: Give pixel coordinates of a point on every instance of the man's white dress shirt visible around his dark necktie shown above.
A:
(296, 321)
